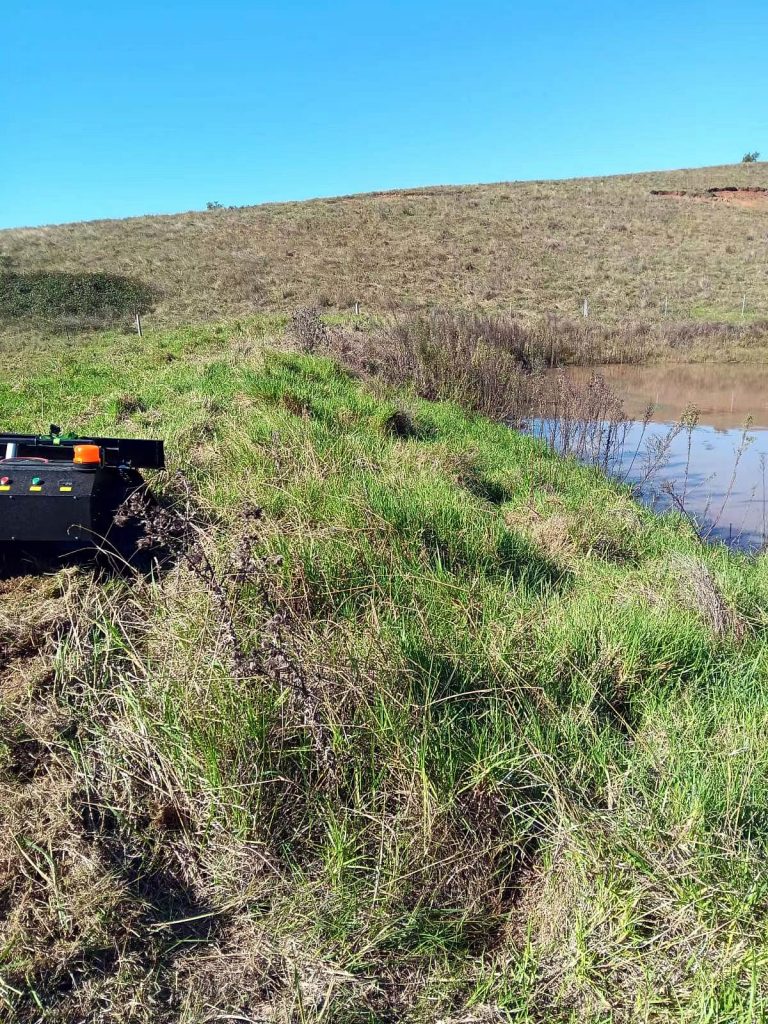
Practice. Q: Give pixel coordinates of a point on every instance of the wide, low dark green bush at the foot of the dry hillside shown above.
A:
(79, 301)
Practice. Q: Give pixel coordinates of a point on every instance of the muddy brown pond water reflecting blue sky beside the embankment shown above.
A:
(720, 473)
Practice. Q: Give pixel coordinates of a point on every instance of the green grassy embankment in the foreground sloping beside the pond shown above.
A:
(454, 732)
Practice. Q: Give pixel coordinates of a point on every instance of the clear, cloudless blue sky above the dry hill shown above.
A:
(112, 109)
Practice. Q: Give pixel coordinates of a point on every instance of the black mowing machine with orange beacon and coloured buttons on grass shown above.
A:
(60, 495)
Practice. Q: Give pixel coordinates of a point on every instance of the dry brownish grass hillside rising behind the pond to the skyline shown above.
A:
(536, 247)
